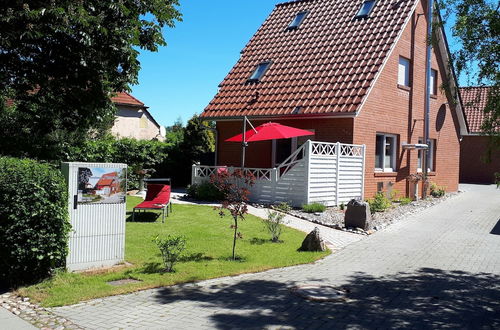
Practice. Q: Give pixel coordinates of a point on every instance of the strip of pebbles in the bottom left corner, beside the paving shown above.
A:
(34, 314)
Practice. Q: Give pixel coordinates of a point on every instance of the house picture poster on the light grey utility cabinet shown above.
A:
(101, 185)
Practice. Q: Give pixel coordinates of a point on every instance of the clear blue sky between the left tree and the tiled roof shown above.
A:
(182, 77)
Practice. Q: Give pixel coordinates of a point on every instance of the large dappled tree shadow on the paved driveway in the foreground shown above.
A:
(428, 298)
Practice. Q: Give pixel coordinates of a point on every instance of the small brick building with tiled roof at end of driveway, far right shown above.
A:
(474, 145)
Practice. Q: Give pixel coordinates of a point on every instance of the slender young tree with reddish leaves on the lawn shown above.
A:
(234, 187)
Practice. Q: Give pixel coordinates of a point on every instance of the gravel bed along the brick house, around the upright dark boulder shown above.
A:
(334, 217)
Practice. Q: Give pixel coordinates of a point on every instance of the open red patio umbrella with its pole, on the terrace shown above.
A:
(268, 131)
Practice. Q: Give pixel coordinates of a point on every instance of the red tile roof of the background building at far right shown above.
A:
(474, 100)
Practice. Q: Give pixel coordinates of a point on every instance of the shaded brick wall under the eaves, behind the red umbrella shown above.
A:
(258, 154)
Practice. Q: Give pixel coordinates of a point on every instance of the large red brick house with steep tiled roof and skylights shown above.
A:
(351, 71)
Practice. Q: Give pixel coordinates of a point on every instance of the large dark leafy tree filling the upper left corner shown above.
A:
(62, 60)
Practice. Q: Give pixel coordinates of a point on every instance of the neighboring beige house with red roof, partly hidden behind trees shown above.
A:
(134, 120)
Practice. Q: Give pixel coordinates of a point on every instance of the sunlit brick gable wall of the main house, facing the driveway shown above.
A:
(391, 109)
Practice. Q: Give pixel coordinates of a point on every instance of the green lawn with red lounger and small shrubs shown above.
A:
(209, 240)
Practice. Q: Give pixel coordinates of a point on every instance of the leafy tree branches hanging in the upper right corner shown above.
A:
(476, 24)
